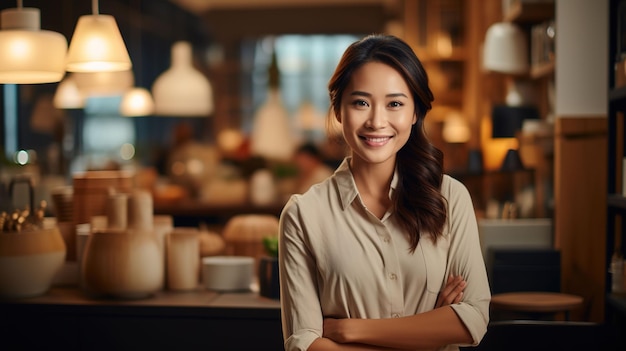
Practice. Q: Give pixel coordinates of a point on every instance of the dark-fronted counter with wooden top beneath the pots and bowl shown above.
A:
(66, 319)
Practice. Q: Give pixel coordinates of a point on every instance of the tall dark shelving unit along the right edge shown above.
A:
(616, 151)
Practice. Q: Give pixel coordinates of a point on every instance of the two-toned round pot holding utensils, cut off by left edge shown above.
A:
(29, 261)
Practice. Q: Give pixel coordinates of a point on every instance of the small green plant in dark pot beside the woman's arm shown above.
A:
(268, 269)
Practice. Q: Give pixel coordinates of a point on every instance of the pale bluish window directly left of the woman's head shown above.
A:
(305, 64)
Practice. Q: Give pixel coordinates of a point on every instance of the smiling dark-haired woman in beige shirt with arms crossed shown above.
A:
(384, 254)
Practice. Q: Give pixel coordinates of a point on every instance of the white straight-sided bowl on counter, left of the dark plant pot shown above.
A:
(227, 273)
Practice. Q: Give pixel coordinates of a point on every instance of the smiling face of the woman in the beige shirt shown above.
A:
(377, 113)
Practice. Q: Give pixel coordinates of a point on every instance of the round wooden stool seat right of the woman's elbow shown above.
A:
(536, 303)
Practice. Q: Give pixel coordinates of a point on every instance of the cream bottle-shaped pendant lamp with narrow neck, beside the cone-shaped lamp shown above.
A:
(182, 90)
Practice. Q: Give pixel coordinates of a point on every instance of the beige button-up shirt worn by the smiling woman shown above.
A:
(339, 260)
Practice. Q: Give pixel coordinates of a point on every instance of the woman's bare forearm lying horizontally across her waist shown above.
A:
(427, 330)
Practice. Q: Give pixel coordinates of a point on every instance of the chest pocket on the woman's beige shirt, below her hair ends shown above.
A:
(435, 261)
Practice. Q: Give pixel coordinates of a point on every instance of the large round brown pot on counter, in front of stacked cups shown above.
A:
(125, 264)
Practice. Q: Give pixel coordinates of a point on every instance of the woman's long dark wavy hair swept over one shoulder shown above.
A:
(417, 200)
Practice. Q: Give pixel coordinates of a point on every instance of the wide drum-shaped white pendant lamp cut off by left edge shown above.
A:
(29, 55)
